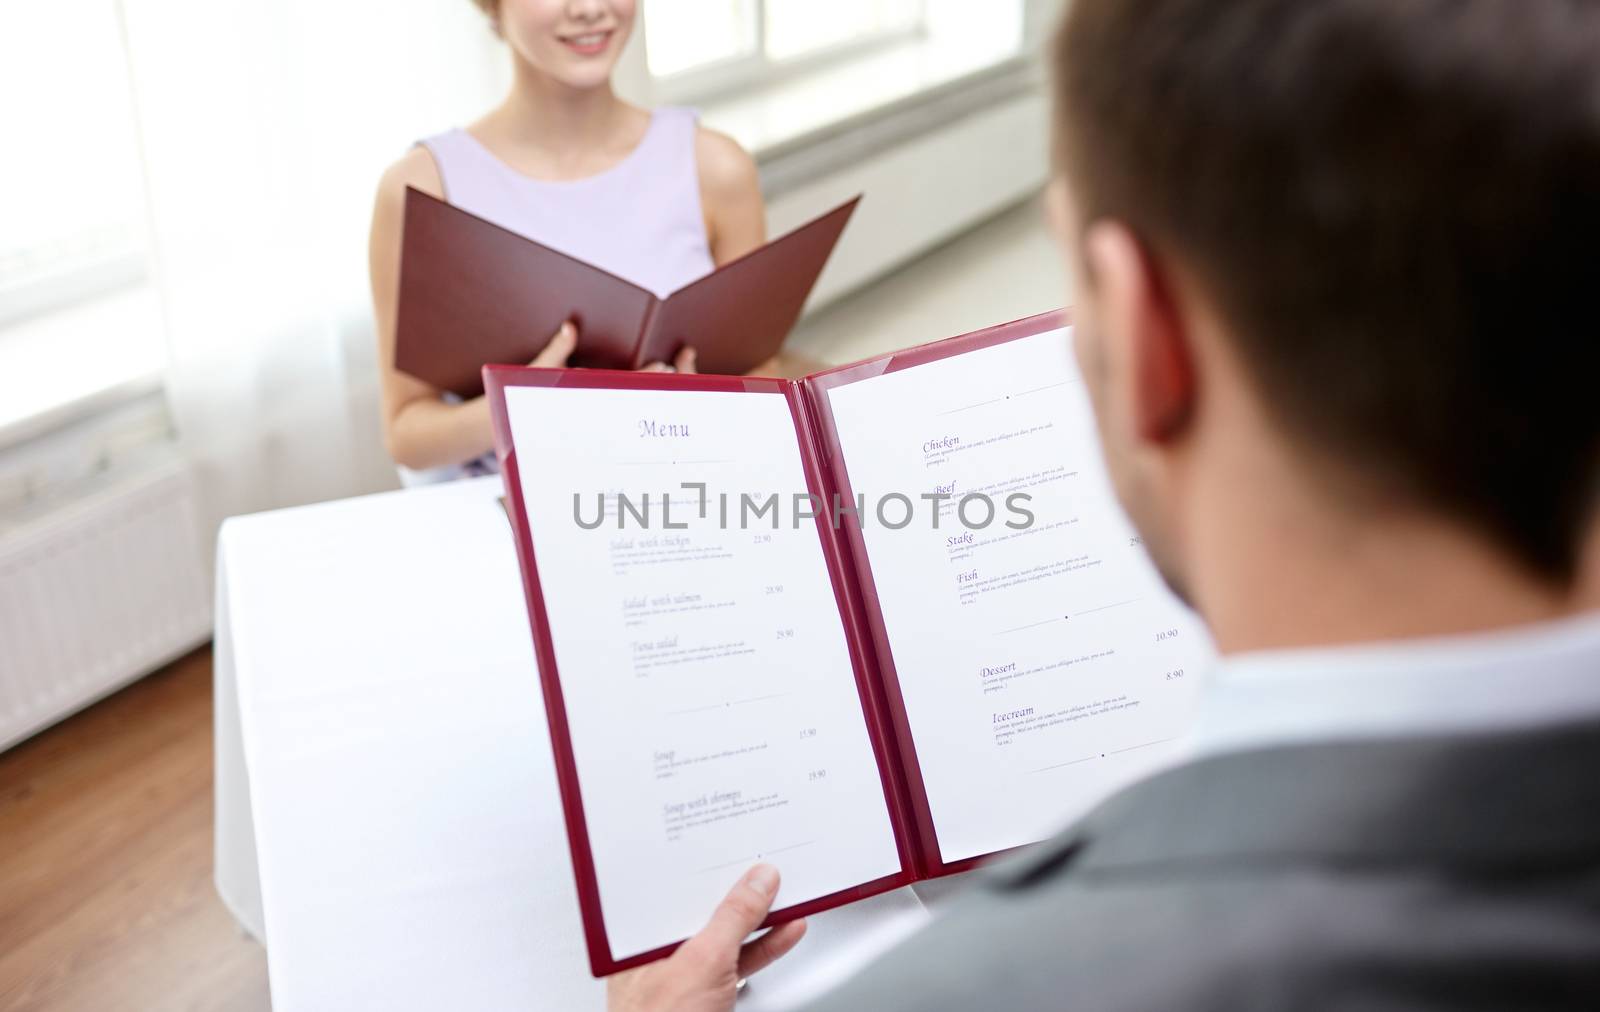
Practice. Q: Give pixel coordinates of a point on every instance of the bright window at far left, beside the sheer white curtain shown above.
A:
(78, 313)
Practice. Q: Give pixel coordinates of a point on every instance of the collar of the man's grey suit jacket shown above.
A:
(1478, 803)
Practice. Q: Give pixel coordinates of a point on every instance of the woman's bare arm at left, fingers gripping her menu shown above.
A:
(420, 430)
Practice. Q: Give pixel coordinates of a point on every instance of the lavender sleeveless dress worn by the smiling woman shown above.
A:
(639, 220)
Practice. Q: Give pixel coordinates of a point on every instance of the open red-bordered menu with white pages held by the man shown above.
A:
(871, 627)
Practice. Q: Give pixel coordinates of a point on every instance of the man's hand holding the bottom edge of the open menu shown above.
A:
(706, 970)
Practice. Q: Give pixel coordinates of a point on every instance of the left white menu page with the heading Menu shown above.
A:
(710, 693)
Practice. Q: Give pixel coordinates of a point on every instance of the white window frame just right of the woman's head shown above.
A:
(758, 70)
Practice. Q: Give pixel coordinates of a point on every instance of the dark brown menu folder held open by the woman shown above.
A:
(474, 294)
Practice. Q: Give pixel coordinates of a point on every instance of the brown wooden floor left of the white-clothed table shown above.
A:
(106, 898)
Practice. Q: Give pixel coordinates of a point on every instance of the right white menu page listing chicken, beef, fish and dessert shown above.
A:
(1042, 667)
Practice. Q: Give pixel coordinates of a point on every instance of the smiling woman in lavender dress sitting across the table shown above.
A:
(649, 196)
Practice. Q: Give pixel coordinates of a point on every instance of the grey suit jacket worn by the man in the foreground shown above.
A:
(1430, 873)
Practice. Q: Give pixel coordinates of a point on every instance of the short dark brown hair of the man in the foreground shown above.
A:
(1396, 206)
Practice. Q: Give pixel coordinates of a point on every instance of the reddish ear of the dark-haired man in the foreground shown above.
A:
(1153, 361)
